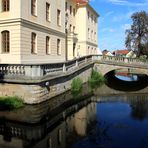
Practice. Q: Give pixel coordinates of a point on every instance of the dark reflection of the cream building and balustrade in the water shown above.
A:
(49, 134)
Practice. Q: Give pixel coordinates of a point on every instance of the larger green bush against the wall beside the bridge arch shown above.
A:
(96, 79)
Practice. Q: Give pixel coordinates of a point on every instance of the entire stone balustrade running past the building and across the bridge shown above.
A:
(37, 71)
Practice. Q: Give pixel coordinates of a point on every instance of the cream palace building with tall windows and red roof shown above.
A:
(46, 31)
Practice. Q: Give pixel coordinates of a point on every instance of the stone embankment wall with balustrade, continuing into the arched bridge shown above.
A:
(39, 82)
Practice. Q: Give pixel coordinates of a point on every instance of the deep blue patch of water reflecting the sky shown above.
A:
(117, 127)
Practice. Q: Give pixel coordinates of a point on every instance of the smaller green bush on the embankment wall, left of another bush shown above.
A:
(76, 85)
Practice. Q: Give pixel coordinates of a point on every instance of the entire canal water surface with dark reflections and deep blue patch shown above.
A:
(108, 119)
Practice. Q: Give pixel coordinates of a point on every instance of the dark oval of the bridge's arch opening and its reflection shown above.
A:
(126, 80)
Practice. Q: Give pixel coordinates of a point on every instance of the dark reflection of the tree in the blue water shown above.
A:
(139, 105)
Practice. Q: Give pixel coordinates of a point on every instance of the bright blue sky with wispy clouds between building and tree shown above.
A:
(115, 18)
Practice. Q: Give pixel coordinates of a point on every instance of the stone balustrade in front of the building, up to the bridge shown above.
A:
(36, 71)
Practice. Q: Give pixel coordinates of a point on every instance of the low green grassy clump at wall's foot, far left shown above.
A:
(10, 103)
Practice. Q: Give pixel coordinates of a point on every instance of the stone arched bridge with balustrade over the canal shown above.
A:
(107, 64)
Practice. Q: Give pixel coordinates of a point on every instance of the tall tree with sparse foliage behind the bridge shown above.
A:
(137, 35)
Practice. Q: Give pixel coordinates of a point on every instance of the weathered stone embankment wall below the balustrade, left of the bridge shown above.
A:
(36, 93)
